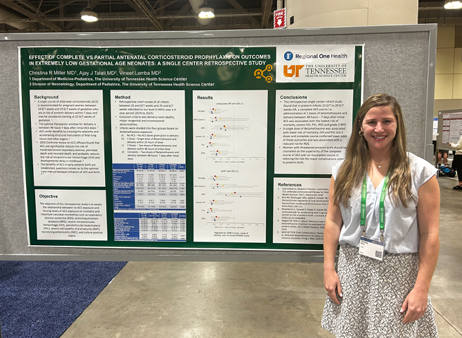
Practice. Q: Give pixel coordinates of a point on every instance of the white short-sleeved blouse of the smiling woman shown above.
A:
(401, 225)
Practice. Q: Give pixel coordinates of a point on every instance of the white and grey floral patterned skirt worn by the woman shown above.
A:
(373, 293)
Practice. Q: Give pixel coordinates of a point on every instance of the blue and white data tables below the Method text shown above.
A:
(157, 189)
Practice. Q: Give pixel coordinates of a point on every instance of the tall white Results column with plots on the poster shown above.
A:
(230, 132)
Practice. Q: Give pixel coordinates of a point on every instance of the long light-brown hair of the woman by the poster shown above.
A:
(358, 158)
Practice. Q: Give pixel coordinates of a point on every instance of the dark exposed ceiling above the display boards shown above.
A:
(154, 15)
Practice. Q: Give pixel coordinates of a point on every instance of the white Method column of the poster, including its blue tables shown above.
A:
(149, 170)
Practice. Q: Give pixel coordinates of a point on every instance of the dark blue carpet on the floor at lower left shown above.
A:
(42, 299)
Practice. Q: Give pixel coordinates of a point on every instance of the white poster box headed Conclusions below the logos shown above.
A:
(312, 130)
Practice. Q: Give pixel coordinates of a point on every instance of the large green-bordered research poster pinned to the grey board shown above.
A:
(225, 147)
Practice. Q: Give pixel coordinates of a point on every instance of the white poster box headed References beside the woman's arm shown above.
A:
(300, 208)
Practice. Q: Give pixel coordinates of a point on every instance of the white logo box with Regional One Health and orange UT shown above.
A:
(315, 63)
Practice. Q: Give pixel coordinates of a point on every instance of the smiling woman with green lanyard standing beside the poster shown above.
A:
(389, 251)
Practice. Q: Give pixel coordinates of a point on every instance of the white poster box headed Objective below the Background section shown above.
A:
(71, 215)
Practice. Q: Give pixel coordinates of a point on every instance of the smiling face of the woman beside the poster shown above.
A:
(379, 128)
